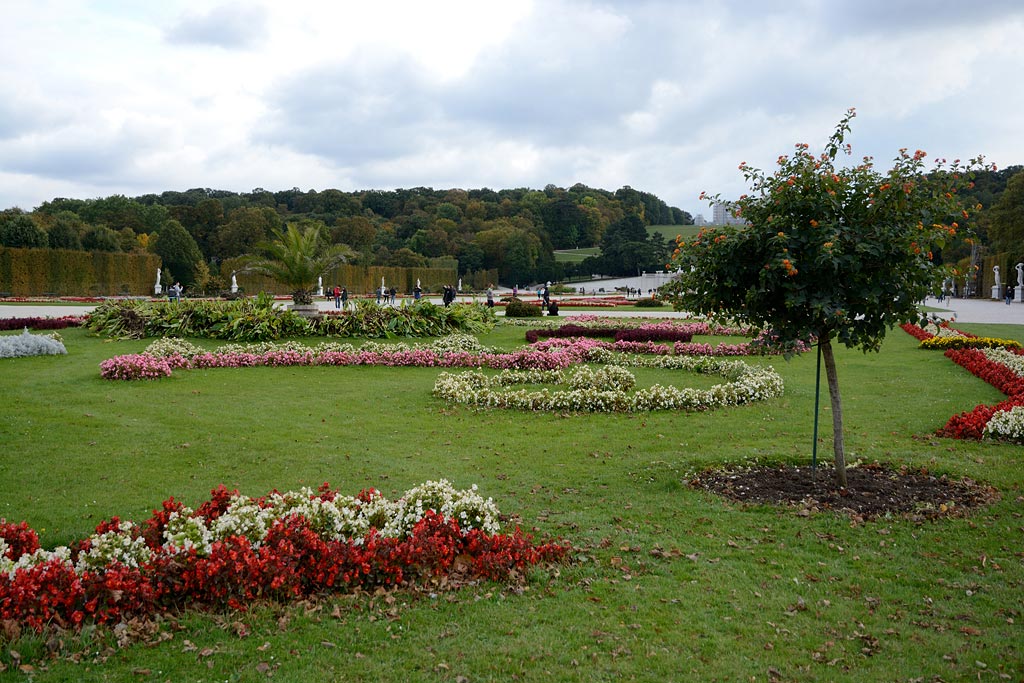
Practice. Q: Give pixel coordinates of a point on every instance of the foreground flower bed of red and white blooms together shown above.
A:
(235, 549)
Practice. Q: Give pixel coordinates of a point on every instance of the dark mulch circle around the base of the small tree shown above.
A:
(873, 491)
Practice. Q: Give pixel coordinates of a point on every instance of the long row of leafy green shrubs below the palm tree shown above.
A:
(259, 320)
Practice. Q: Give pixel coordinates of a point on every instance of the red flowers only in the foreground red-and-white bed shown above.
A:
(291, 562)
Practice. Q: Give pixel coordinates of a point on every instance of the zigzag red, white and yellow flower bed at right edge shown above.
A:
(1000, 365)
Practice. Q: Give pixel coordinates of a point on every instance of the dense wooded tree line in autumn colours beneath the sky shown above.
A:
(516, 232)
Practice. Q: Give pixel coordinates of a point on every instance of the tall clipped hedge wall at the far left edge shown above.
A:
(66, 273)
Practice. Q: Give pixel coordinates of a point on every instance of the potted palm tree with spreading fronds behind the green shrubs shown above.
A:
(297, 259)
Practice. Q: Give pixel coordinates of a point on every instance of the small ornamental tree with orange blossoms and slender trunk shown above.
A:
(829, 253)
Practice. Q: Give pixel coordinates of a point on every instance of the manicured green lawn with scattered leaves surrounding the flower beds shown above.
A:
(669, 584)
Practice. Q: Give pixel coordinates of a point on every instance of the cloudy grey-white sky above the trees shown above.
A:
(103, 98)
